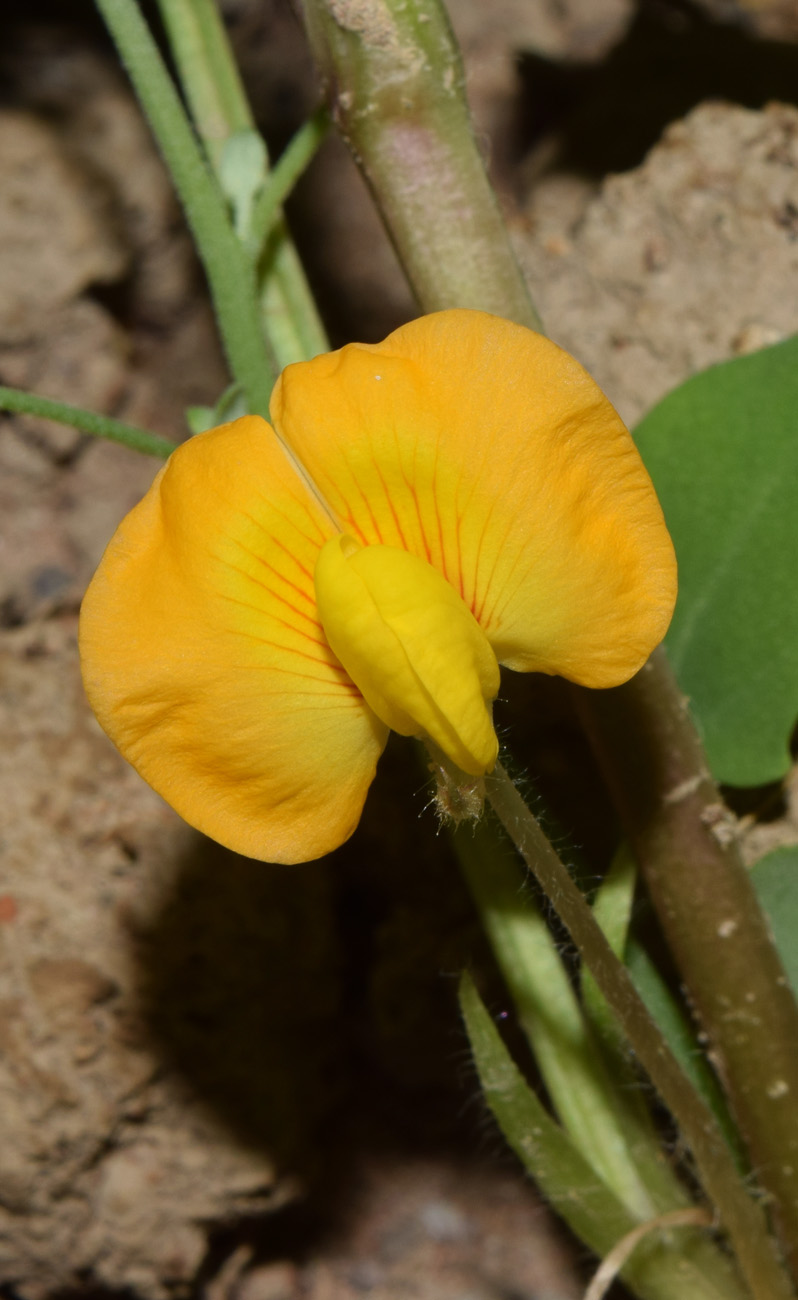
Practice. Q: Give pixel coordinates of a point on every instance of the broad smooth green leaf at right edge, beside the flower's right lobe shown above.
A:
(723, 453)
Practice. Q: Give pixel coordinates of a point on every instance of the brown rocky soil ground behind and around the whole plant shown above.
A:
(251, 1084)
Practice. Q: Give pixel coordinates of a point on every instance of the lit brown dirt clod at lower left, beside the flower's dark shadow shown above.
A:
(109, 1165)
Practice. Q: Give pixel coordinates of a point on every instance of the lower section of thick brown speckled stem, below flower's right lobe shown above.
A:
(686, 842)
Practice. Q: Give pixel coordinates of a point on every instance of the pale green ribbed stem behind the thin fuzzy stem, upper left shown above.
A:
(220, 109)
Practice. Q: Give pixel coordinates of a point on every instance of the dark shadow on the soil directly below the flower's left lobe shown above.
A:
(296, 999)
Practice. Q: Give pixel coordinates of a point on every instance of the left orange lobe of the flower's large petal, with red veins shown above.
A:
(205, 660)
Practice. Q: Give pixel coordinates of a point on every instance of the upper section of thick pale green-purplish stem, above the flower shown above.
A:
(396, 84)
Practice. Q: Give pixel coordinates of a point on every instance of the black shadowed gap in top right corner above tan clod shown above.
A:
(608, 116)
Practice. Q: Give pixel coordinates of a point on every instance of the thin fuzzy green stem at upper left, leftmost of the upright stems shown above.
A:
(227, 266)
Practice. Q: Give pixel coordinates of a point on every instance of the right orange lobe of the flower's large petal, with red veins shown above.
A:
(487, 450)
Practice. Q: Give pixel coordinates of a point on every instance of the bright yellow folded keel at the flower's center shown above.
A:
(411, 647)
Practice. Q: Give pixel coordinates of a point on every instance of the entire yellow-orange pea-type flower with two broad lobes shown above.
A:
(419, 512)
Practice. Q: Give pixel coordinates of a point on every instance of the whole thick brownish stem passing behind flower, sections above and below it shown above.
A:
(396, 85)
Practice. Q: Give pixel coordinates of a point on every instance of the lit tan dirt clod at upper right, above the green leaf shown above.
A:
(679, 265)
